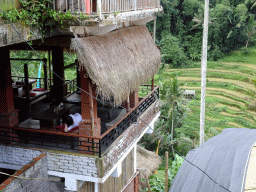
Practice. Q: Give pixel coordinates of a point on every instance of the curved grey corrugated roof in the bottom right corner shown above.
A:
(224, 158)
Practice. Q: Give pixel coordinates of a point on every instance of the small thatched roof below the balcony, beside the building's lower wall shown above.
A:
(147, 163)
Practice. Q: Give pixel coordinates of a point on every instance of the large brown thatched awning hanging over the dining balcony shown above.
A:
(120, 61)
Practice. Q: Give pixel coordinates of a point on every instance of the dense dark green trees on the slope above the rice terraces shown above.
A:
(231, 26)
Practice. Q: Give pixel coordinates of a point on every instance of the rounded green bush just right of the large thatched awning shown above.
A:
(172, 52)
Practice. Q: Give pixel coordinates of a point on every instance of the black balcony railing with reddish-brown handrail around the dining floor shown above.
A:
(134, 120)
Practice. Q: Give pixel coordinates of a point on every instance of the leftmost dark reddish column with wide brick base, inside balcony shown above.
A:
(8, 115)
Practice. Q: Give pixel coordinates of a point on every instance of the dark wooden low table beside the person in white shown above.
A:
(50, 118)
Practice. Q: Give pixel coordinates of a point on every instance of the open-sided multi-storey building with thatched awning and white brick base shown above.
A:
(117, 57)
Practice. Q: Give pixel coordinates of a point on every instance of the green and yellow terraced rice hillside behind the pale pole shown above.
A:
(230, 96)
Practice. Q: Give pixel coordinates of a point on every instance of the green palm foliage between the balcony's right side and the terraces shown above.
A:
(173, 111)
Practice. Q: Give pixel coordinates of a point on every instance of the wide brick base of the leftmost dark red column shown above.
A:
(9, 119)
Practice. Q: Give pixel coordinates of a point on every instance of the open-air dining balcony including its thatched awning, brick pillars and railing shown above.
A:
(109, 93)
